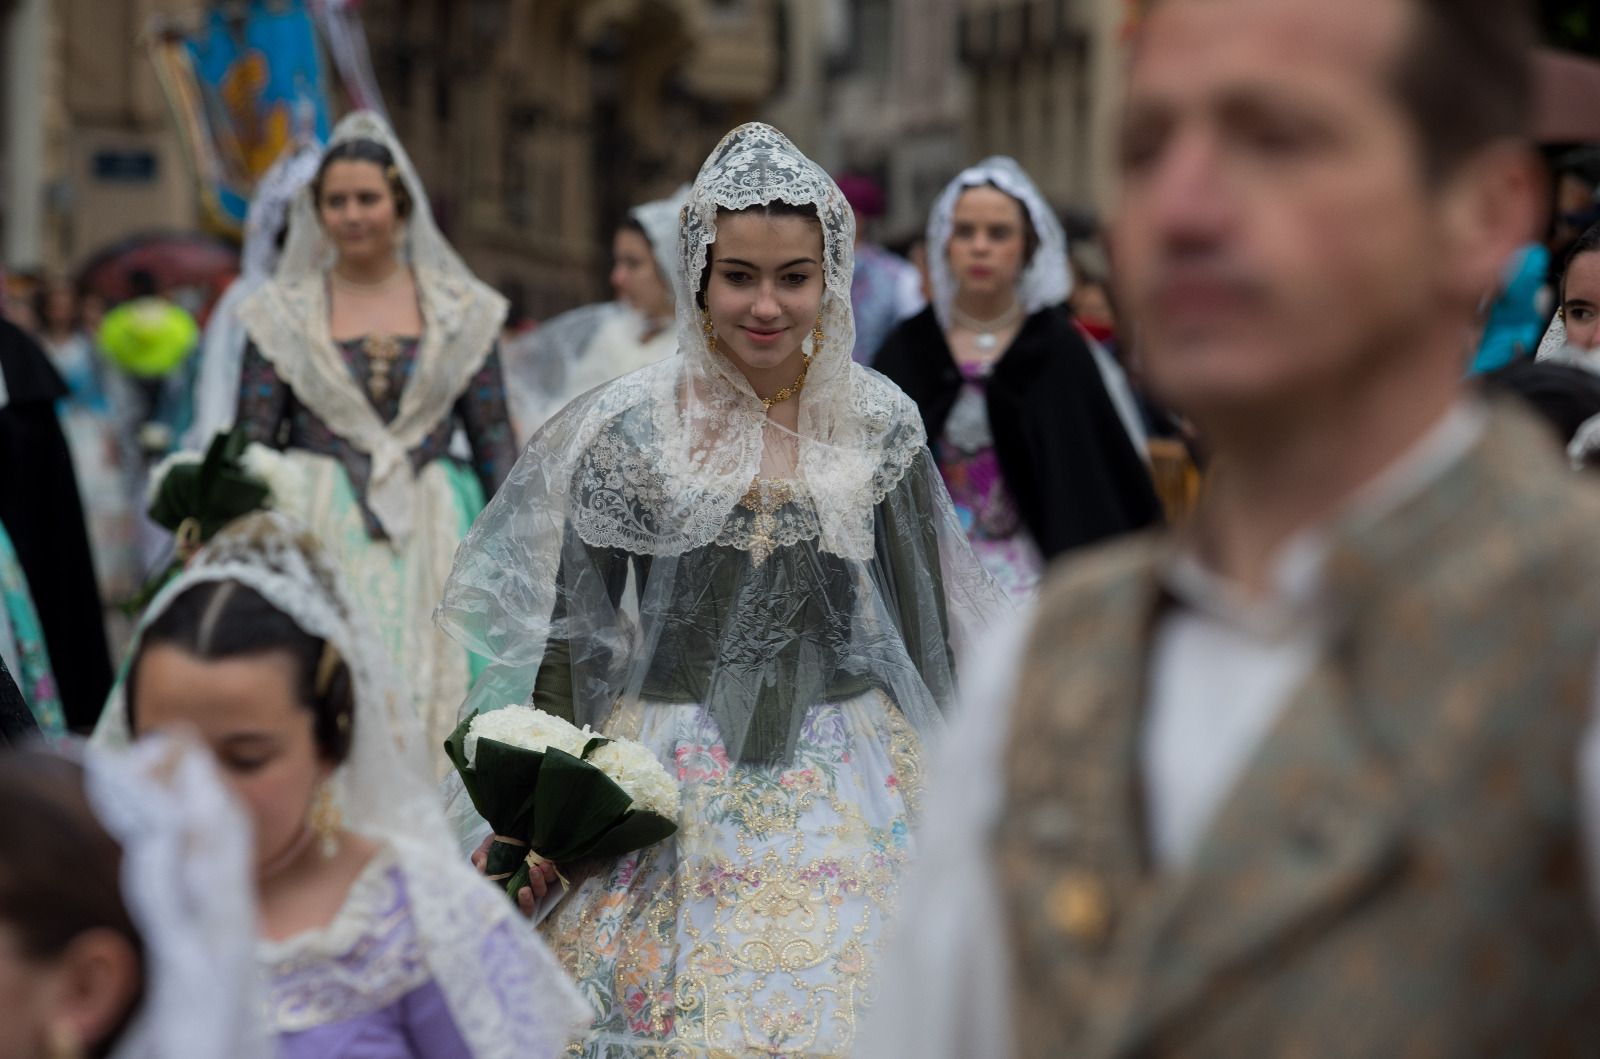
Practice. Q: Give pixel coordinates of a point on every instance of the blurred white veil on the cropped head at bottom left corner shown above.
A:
(188, 882)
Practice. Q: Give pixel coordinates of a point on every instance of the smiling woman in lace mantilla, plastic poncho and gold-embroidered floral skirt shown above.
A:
(745, 559)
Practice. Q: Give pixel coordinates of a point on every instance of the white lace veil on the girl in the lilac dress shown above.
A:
(506, 993)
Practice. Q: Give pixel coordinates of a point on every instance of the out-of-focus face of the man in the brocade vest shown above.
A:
(1278, 234)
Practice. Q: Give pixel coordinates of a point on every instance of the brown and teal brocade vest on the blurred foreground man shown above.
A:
(1399, 869)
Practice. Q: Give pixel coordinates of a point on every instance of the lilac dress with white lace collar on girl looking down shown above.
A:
(359, 988)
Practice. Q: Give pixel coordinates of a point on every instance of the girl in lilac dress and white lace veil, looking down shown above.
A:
(377, 938)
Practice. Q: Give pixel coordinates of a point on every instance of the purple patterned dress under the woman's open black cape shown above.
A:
(983, 502)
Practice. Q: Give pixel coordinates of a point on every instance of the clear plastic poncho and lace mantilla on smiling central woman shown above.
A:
(665, 543)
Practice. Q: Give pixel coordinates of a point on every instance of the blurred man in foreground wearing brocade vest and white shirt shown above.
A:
(1308, 780)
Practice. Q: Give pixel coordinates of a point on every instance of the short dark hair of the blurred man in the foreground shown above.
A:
(1463, 76)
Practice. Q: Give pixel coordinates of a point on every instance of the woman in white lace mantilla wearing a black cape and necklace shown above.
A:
(1034, 425)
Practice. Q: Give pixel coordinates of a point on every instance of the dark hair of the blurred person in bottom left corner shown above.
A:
(60, 869)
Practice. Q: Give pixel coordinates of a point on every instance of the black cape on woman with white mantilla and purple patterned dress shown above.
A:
(1063, 450)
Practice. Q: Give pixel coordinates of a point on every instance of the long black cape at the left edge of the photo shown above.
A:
(41, 511)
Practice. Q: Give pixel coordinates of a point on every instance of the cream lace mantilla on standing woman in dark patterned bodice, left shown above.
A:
(462, 319)
